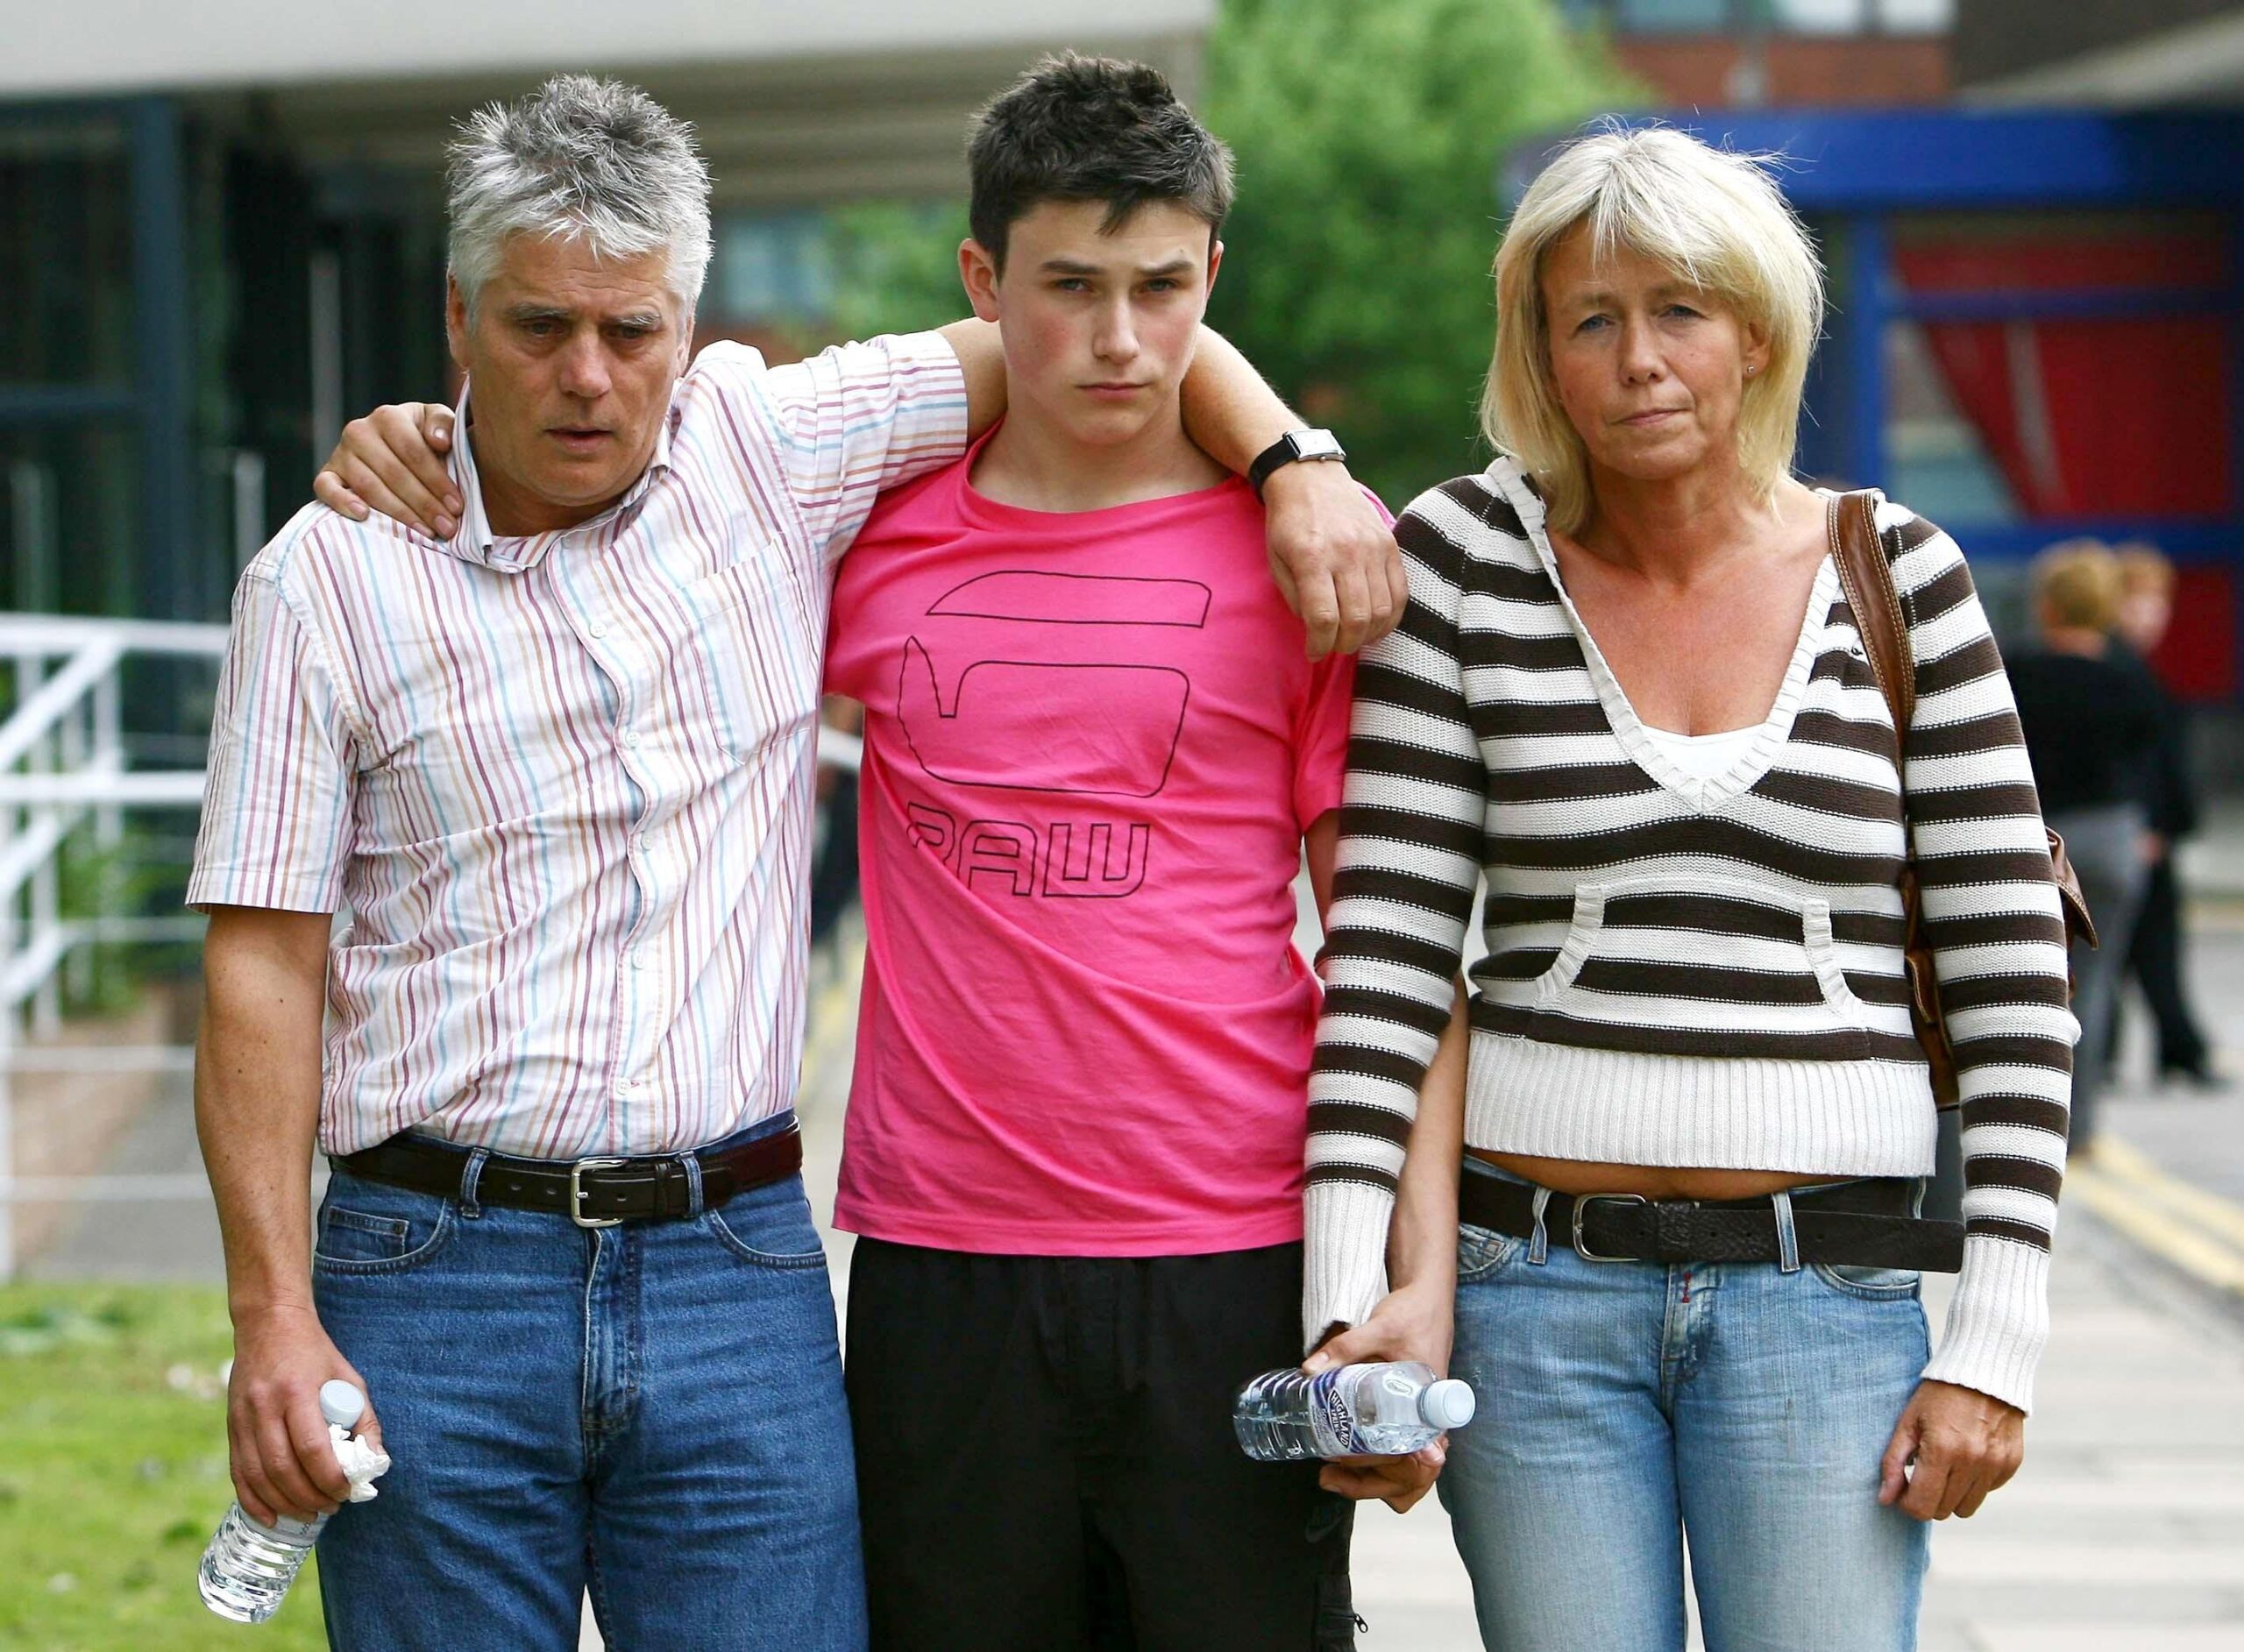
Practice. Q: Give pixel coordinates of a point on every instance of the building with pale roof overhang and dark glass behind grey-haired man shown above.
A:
(221, 226)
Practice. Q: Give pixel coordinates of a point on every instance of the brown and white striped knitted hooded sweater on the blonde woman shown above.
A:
(1680, 971)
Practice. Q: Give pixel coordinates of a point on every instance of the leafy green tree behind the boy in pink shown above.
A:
(1370, 143)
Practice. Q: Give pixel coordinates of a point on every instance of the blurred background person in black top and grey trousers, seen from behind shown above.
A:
(2093, 731)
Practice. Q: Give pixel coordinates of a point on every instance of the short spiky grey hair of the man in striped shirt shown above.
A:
(578, 160)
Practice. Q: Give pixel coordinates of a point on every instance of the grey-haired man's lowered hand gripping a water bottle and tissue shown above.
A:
(277, 1438)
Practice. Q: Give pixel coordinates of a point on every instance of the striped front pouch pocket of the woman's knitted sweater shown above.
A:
(1698, 966)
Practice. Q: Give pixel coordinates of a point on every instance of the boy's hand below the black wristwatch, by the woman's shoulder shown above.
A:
(1334, 558)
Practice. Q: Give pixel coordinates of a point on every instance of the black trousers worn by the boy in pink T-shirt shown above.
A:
(1047, 1458)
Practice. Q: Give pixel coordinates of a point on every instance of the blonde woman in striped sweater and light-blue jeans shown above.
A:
(1633, 706)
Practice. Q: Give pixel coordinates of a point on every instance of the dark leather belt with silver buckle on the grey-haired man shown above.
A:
(594, 1193)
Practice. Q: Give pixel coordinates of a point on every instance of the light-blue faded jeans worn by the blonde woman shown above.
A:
(1633, 1406)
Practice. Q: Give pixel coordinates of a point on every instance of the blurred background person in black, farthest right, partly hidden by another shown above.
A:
(2155, 960)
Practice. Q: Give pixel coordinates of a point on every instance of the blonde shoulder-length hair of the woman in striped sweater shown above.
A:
(1718, 221)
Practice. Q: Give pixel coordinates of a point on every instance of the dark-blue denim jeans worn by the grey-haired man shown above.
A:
(647, 1411)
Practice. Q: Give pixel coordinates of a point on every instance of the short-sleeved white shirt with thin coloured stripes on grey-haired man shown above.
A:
(564, 784)
